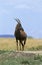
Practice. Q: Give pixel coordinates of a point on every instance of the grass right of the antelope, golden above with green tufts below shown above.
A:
(33, 44)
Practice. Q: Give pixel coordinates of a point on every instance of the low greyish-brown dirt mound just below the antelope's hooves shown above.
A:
(20, 54)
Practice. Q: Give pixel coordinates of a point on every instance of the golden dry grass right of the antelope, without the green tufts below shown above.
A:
(33, 43)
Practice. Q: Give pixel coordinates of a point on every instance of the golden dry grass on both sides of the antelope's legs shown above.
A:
(10, 44)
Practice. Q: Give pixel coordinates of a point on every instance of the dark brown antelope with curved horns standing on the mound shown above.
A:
(20, 35)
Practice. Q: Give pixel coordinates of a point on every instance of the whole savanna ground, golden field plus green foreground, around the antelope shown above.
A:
(9, 56)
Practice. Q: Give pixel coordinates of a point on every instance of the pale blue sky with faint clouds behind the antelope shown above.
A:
(28, 11)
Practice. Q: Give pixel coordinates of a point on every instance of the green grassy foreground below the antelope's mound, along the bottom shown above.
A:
(10, 58)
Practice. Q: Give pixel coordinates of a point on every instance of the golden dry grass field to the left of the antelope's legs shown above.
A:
(7, 44)
